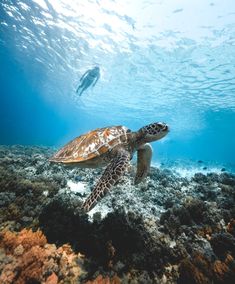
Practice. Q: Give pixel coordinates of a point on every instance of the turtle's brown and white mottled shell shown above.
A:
(92, 144)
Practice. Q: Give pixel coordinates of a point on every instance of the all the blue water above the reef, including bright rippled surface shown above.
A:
(171, 61)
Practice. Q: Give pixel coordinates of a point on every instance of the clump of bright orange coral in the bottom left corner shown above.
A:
(28, 258)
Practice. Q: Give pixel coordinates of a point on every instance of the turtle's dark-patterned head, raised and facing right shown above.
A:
(153, 132)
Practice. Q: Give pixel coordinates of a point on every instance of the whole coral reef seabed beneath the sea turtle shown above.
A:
(171, 229)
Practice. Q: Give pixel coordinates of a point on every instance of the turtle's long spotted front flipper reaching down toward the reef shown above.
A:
(111, 175)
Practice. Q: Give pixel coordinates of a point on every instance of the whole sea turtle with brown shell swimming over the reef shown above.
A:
(112, 146)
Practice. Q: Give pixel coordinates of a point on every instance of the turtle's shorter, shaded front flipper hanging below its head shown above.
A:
(144, 156)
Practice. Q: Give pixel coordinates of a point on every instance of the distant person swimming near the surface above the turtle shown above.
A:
(90, 77)
